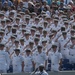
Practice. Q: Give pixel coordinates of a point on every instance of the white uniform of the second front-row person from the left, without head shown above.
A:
(17, 63)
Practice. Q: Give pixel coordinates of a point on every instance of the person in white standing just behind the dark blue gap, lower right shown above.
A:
(63, 40)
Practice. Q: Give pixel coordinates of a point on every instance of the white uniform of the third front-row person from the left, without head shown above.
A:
(28, 66)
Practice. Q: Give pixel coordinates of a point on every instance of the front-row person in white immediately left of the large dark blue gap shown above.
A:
(56, 58)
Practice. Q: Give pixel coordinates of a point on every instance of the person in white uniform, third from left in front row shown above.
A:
(28, 61)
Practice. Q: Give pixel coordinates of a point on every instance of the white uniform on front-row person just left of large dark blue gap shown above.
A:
(55, 58)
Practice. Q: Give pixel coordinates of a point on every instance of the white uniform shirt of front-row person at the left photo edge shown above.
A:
(4, 60)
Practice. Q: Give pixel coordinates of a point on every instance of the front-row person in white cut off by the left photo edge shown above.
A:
(4, 59)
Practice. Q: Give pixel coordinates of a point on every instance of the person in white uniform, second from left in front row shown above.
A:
(17, 62)
